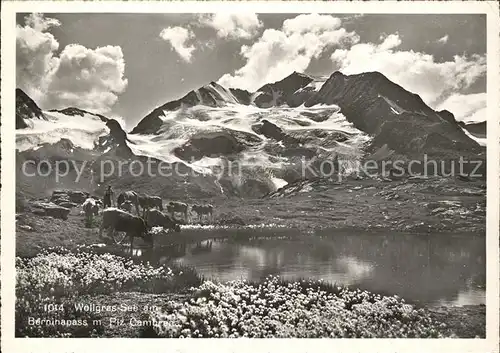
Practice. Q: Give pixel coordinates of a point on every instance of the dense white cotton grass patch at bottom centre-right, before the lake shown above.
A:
(275, 309)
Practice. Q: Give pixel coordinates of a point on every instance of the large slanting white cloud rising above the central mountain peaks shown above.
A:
(277, 53)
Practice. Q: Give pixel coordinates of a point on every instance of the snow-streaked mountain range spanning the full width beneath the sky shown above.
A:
(269, 132)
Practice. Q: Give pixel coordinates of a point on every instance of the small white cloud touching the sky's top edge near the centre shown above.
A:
(232, 26)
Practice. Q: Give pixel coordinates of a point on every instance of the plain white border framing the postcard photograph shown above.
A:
(20, 345)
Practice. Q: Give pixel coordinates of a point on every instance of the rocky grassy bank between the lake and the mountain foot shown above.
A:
(431, 206)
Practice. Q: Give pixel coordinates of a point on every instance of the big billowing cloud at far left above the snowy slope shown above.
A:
(86, 78)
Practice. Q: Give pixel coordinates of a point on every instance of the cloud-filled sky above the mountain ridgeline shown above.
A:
(125, 65)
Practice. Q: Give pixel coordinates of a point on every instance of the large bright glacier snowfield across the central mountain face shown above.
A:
(237, 119)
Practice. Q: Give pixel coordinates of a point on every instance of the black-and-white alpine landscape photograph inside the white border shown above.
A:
(250, 175)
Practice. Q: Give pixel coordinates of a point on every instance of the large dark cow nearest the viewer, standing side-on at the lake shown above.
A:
(116, 220)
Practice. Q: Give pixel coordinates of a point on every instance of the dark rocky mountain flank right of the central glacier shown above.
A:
(397, 119)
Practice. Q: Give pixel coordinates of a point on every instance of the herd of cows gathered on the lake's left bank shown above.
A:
(120, 217)
